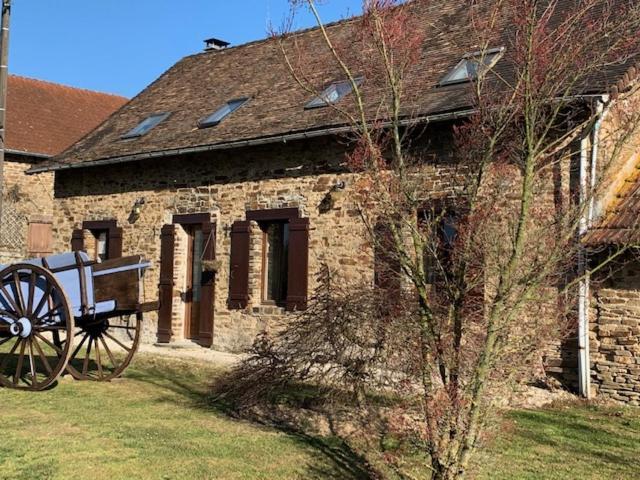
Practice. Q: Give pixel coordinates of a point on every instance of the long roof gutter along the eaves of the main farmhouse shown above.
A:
(245, 143)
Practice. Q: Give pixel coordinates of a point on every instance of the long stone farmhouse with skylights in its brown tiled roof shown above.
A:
(231, 179)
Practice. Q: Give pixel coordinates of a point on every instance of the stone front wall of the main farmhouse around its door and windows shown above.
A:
(226, 185)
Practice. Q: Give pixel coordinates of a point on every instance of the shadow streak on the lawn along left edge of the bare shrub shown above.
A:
(192, 387)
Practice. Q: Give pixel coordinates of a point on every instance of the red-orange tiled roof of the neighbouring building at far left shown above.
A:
(46, 118)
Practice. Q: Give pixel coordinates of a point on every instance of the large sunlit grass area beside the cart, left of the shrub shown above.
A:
(155, 423)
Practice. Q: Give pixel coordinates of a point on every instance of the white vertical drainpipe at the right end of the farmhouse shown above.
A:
(584, 364)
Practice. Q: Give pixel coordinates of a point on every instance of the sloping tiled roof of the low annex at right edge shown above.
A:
(621, 223)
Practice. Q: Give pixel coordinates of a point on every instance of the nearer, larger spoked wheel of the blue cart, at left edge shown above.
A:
(33, 311)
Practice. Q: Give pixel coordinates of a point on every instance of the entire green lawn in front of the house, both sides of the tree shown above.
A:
(156, 423)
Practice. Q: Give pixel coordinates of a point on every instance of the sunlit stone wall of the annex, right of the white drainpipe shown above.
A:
(615, 336)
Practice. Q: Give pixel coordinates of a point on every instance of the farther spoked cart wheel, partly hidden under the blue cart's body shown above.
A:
(109, 346)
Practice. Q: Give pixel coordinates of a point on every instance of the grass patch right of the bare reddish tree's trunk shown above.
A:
(565, 441)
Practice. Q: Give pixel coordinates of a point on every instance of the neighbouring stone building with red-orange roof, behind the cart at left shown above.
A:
(42, 120)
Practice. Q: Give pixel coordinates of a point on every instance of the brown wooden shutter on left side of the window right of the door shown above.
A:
(239, 274)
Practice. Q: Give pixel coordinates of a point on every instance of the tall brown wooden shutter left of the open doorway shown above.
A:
(165, 295)
